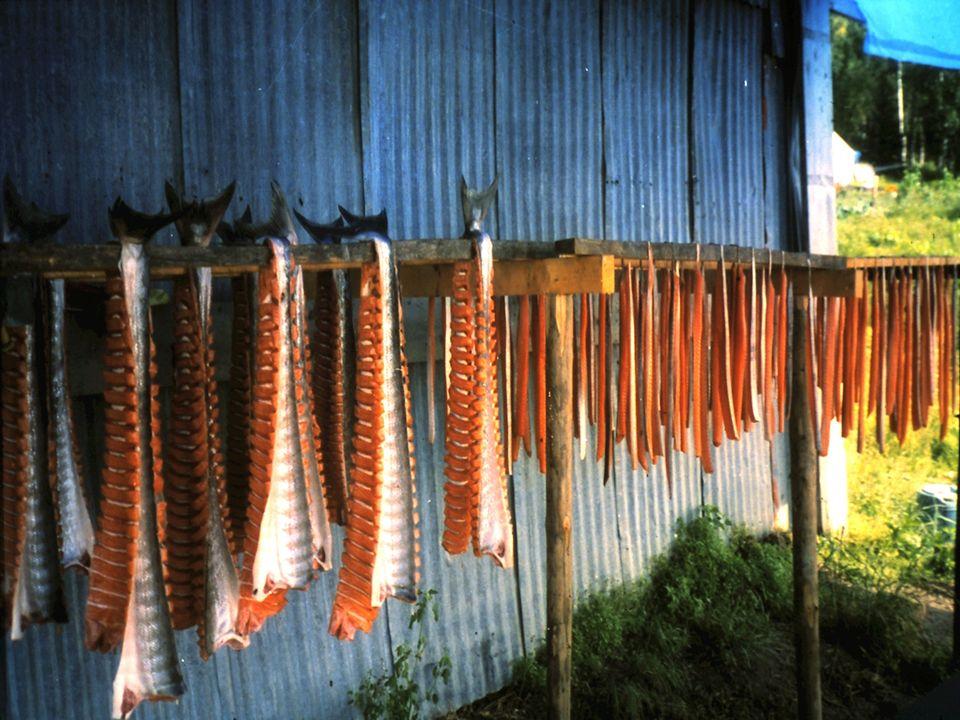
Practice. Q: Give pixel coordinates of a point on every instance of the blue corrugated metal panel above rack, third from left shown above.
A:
(429, 107)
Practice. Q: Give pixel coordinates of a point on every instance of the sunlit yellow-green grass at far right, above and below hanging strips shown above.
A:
(886, 542)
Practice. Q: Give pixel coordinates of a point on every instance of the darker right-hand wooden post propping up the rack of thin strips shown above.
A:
(803, 492)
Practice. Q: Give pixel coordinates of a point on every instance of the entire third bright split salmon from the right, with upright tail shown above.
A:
(287, 533)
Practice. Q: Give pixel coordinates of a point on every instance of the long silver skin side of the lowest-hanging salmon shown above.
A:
(148, 661)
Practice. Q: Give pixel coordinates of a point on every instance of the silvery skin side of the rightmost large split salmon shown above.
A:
(496, 528)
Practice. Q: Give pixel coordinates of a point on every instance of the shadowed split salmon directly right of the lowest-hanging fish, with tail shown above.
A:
(204, 589)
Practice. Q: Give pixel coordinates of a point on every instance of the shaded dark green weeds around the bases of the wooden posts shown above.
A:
(711, 628)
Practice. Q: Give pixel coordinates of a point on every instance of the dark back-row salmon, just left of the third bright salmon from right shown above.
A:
(243, 291)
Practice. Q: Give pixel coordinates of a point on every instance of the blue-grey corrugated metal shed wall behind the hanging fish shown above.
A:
(610, 119)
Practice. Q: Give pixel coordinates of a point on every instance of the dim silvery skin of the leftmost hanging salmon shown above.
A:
(37, 590)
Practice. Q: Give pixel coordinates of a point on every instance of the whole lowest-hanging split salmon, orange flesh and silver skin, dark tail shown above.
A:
(127, 601)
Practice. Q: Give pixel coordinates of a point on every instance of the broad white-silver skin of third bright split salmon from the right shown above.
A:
(284, 549)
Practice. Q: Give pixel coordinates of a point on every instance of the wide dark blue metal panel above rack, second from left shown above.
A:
(269, 93)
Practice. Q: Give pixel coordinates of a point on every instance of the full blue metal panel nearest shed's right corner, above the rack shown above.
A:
(727, 75)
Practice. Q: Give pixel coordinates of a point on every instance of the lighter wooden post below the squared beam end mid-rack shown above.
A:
(559, 504)
